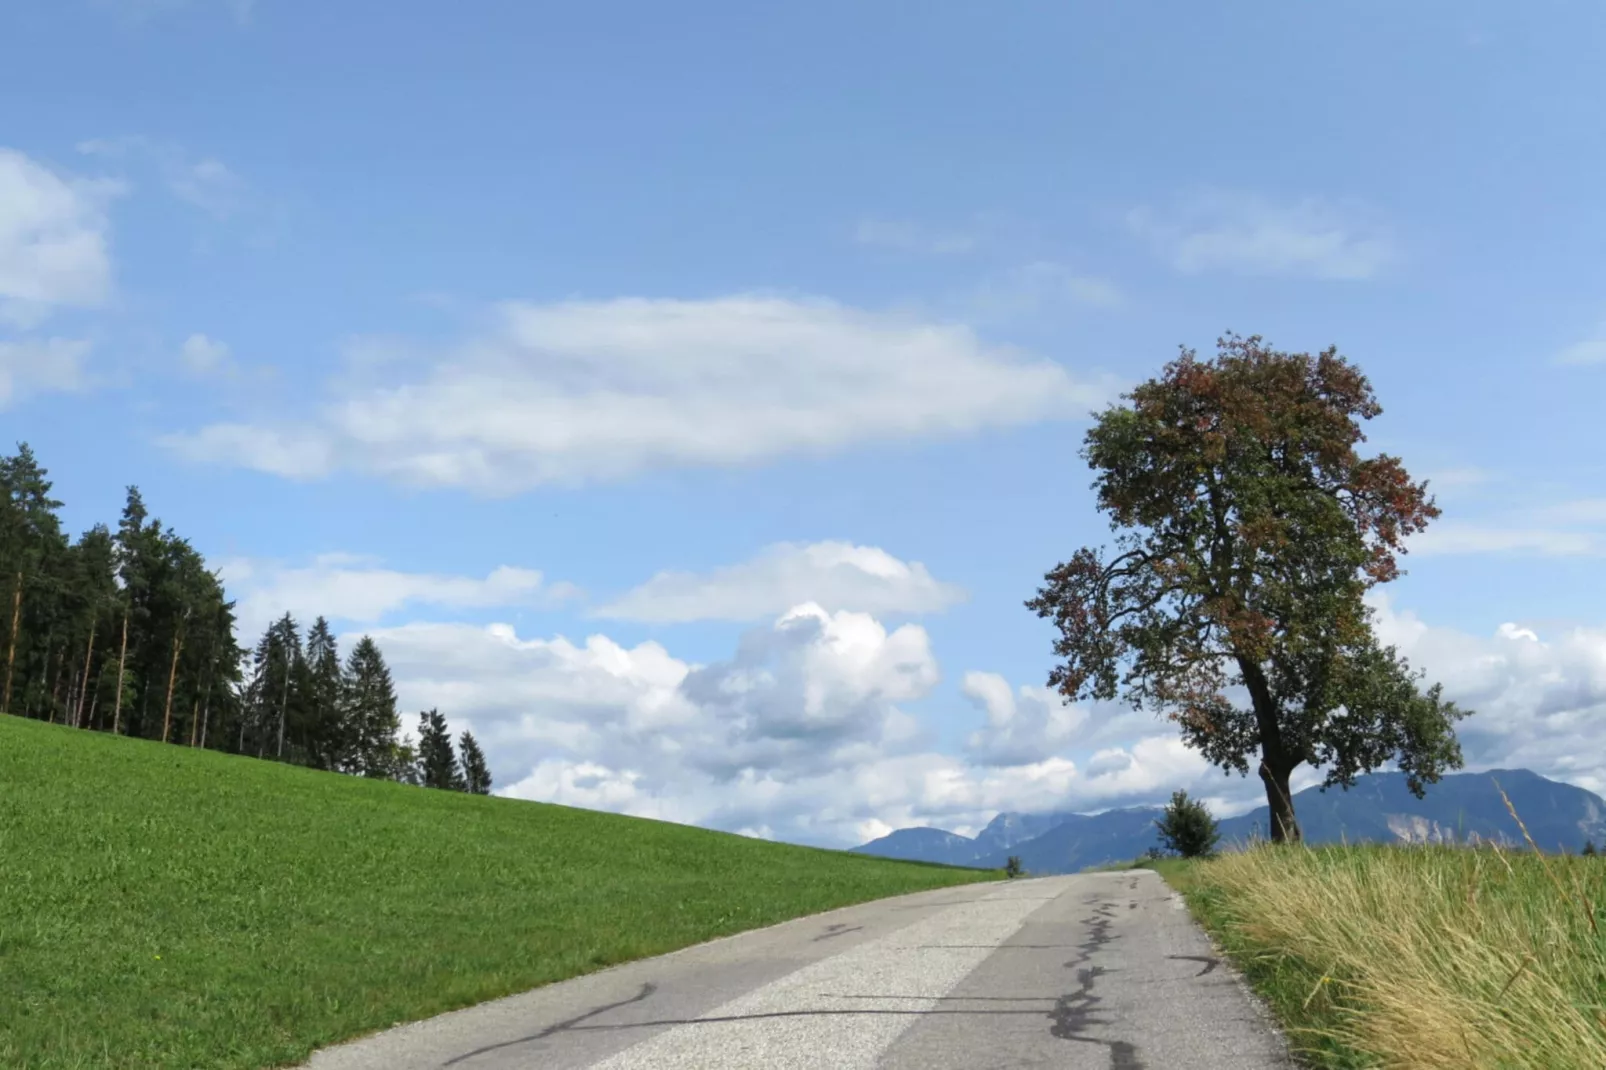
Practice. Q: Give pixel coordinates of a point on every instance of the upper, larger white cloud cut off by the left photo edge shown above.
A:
(54, 247)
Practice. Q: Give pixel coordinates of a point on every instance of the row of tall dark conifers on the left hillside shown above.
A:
(126, 631)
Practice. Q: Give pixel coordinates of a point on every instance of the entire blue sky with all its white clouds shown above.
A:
(688, 398)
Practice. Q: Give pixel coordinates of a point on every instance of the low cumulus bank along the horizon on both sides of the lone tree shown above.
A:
(812, 730)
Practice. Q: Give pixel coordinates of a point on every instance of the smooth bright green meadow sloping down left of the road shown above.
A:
(163, 907)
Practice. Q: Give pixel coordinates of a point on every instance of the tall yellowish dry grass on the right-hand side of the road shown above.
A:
(1419, 958)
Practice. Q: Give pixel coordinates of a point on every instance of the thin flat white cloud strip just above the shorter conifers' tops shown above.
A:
(343, 587)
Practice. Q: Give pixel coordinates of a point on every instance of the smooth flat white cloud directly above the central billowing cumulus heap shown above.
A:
(833, 574)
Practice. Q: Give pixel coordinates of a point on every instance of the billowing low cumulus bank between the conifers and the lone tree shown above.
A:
(804, 733)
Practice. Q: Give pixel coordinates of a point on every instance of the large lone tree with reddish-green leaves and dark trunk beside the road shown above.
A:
(1249, 531)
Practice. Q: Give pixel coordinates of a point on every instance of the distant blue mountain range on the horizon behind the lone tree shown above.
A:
(1379, 809)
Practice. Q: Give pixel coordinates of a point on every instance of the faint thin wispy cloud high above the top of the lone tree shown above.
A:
(1255, 237)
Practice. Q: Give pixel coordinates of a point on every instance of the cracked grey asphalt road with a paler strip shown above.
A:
(1094, 971)
